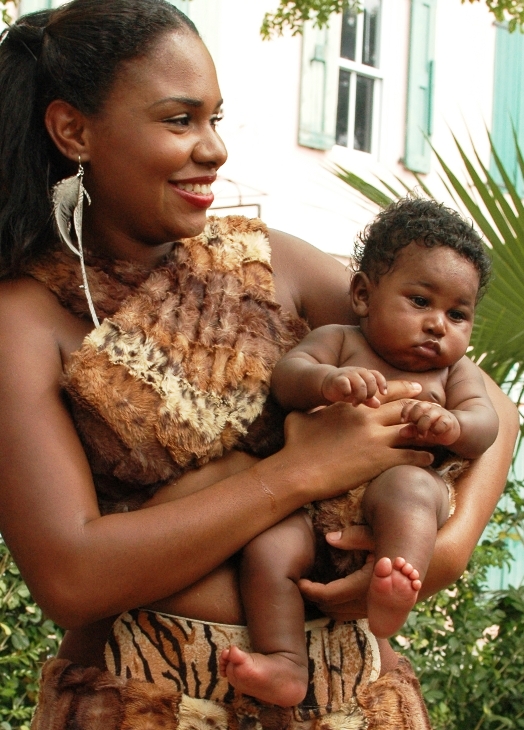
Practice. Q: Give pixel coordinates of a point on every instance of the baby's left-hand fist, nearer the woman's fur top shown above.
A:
(354, 385)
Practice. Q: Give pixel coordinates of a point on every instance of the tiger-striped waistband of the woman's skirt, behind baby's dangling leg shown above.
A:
(167, 651)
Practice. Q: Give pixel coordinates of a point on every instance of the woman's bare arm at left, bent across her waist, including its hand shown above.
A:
(82, 567)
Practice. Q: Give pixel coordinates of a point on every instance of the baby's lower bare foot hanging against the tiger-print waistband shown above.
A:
(273, 678)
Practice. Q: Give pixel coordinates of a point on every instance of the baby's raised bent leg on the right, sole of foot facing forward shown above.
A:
(404, 506)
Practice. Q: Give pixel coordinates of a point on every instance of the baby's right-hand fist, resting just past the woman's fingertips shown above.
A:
(429, 422)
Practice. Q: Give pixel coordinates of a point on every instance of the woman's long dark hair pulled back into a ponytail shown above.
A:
(72, 53)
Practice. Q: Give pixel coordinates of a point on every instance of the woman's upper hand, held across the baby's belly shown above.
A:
(342, 446)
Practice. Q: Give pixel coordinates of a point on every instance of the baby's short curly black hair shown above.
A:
(426, 222)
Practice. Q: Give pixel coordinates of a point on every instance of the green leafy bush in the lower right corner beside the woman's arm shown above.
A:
(467, 645)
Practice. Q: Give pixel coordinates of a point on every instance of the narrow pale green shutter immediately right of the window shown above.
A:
(419, 114)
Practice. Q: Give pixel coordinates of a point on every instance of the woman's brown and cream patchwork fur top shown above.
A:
(179, 370)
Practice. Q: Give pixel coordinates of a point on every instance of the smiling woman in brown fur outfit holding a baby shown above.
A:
(125, 94)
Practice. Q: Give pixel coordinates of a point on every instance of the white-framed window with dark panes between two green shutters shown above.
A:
(359, 77)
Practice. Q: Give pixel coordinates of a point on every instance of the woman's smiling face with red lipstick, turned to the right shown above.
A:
(154, 151)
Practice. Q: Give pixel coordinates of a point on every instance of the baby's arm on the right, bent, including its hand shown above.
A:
(468, 424)
